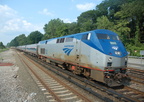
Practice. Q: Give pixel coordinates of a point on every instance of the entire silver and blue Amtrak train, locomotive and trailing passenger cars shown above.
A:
(97, 54)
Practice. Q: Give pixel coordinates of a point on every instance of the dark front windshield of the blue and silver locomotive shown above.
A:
(106, 36)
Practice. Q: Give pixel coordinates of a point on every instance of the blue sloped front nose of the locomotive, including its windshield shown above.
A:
(111, 44)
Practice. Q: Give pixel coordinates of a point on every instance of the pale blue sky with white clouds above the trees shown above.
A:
(25, 16)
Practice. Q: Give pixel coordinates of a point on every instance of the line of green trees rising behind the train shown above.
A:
(125, 17)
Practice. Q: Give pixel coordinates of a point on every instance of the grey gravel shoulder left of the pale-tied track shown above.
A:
(16, 84)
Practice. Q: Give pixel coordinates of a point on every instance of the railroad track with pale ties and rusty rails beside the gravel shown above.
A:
(55, 89)
